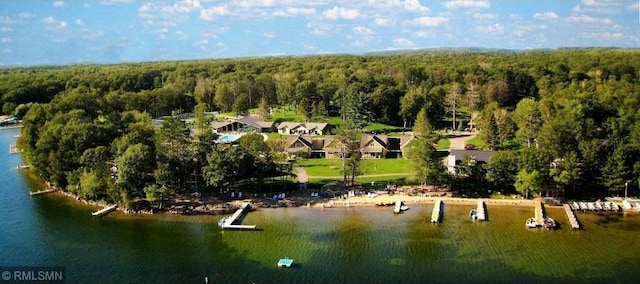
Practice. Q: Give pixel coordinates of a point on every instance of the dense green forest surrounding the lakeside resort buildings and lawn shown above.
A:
(567, 118)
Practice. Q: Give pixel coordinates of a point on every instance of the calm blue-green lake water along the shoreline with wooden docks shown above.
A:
(355, 245)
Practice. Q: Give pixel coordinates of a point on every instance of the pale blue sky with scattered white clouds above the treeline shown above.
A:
(115, 31)
